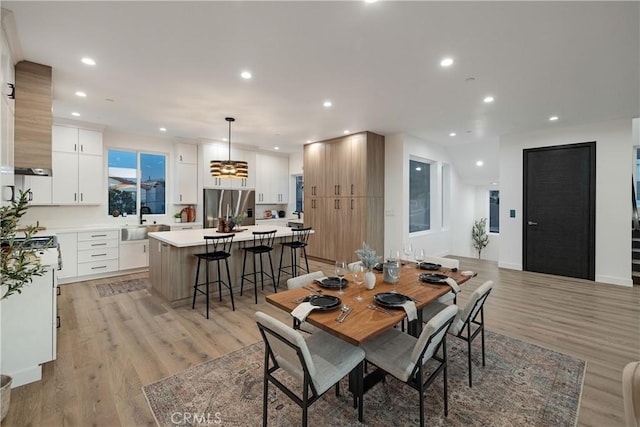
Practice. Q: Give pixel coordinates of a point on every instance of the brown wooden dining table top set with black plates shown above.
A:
(363, 323)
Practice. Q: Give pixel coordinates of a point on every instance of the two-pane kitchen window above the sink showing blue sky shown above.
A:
(136, 180)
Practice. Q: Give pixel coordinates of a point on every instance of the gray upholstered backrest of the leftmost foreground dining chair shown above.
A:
(285, 346)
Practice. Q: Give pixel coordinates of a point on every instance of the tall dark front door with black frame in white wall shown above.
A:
(559, 210)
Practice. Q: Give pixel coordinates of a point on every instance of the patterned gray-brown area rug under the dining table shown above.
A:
(521, 385)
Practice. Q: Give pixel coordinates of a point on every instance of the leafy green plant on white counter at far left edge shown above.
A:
(18, 262)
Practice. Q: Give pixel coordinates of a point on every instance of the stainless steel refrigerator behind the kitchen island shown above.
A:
(223, 203)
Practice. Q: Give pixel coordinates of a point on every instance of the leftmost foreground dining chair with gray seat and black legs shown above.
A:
(316, 363)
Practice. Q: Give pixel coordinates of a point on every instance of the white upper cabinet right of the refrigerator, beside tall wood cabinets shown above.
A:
(272, 179)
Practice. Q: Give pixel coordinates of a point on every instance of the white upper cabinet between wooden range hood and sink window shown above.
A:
(78, 166)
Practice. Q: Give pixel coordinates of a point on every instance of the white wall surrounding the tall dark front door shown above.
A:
(614, 146)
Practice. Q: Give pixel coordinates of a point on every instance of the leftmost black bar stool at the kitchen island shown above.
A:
(217, 248)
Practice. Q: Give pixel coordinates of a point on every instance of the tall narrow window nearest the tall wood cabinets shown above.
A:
(419, 196)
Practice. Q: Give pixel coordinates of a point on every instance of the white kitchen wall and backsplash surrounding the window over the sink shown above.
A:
(72, 216)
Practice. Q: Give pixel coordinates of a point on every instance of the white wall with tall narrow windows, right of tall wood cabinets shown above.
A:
(454, 239)
